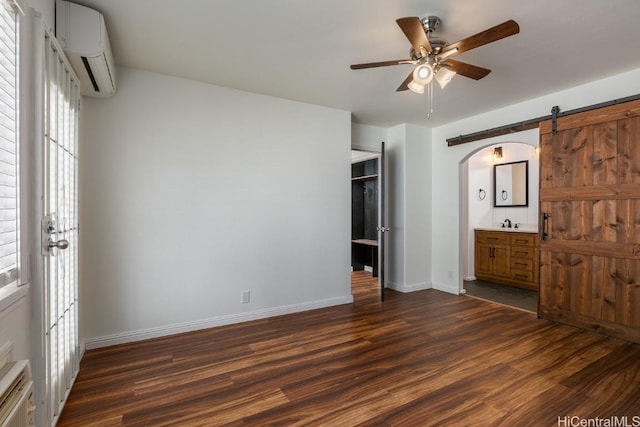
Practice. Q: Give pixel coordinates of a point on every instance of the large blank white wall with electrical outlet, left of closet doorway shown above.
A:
(191, 193)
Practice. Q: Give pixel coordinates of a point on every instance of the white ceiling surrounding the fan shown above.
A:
(301, 50)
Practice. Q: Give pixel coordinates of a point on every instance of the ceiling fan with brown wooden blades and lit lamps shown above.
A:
(432, 56)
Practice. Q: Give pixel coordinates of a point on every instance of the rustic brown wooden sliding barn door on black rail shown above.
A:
(590, 195)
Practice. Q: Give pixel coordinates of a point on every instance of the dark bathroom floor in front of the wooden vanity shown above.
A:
(502, 294)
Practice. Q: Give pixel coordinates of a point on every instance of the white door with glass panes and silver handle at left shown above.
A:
(58, 165)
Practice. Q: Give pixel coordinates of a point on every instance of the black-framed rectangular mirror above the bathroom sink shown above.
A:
(511, 184)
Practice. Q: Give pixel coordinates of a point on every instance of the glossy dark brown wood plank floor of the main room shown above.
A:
(418, 359)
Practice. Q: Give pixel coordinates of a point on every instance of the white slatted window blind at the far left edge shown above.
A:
(8, 142)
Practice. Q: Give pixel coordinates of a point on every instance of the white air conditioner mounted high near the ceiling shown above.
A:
(83, 36)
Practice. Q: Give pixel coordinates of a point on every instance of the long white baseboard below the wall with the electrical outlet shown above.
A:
(143, 334)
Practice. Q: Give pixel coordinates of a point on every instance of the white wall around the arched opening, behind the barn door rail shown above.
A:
(446, 258)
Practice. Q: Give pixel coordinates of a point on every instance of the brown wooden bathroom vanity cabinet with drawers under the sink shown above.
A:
(507, 257)
